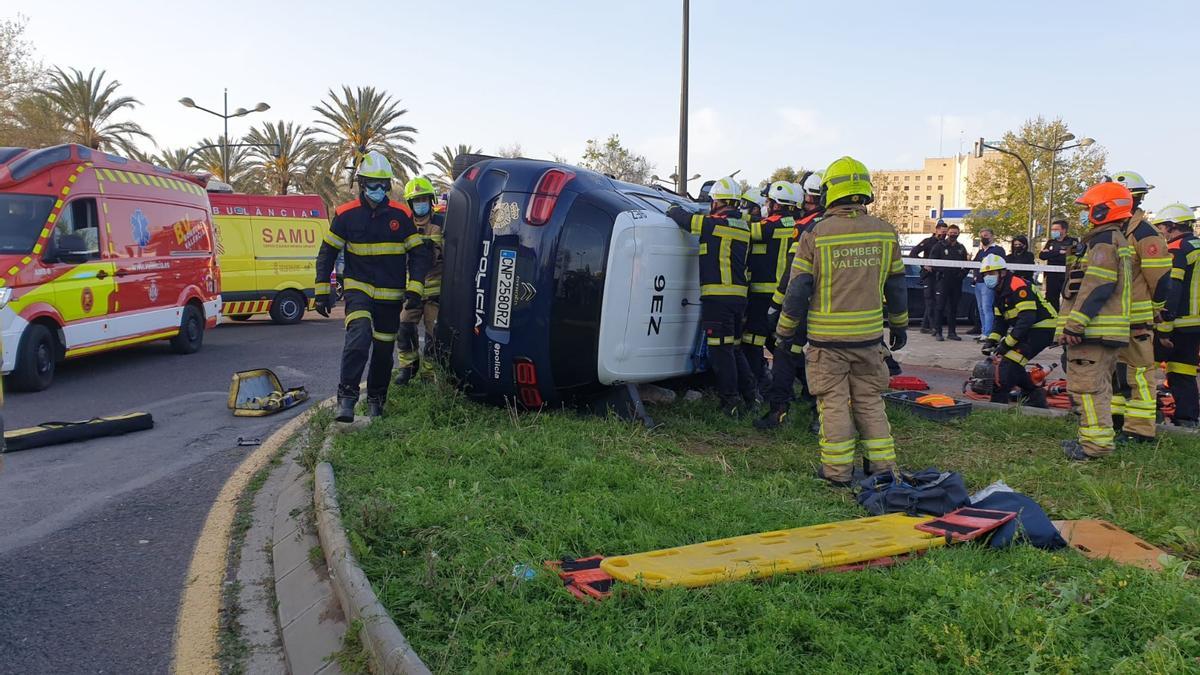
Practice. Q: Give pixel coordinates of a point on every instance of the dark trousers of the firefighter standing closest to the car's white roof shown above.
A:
(722, 324)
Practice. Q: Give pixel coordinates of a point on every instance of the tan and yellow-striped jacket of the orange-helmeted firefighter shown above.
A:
(1097, 296)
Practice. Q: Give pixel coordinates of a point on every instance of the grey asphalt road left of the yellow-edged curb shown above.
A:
(97, 537)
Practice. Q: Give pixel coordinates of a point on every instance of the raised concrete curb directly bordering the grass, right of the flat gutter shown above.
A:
(387, 647)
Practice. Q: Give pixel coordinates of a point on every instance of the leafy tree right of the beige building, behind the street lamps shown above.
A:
(999, 190)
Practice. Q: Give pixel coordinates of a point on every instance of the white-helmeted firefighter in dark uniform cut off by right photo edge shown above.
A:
(1180, 331)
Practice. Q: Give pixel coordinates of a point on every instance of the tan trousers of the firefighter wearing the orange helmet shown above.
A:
(1090, 385)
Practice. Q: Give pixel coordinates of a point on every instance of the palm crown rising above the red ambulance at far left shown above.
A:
(87, 103)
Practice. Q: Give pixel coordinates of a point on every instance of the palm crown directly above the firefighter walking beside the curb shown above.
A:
(362, 121)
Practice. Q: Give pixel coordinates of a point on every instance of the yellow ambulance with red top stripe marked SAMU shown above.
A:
(267, 250)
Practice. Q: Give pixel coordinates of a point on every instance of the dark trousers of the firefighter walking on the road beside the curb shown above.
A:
(371, 328)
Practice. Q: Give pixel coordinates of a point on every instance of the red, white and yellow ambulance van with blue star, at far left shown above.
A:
(99, 253)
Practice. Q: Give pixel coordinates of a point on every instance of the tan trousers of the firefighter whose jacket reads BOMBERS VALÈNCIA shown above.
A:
(849, 384)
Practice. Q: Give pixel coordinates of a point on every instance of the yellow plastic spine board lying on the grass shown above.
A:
(775, 553)
